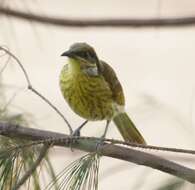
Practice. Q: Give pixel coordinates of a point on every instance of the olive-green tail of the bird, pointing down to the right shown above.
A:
(128, 129)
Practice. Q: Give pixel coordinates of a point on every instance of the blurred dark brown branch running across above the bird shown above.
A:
(63, 22)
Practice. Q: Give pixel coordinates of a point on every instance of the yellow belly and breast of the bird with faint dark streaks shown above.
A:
(88, 97)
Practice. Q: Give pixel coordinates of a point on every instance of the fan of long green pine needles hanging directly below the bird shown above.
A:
(82, 174)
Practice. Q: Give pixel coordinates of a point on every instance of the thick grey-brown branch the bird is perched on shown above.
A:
(90, 144)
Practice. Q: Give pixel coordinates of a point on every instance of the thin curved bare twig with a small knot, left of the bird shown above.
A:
(30, 87)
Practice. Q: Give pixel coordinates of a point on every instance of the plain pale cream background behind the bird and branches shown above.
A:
(155, 66)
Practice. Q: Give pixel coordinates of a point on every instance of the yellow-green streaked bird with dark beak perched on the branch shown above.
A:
(92, 90)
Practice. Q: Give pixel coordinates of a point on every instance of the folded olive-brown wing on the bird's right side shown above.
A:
(113, 82)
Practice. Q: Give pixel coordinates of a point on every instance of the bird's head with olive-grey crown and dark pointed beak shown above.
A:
(83, 54)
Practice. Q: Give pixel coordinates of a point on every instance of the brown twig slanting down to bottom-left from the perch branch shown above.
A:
(42, 154)
